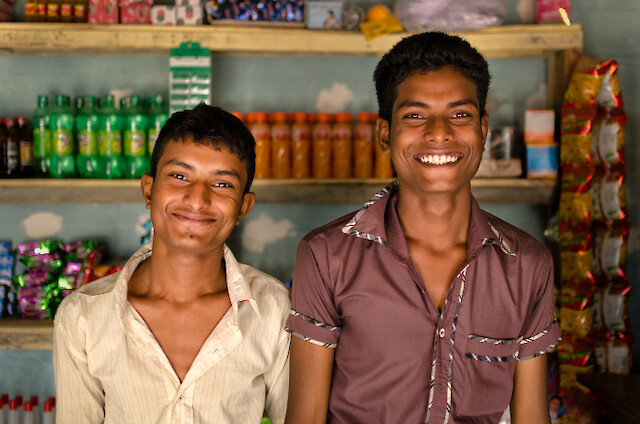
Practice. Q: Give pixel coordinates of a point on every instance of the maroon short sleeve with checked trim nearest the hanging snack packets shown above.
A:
(542, 331)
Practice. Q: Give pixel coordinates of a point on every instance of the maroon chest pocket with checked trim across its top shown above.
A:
(488, 375)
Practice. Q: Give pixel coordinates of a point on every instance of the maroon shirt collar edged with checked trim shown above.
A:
(370, 223)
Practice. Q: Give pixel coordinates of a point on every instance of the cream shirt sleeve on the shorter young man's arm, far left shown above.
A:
(79, 396)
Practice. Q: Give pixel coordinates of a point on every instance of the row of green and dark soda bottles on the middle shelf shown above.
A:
(93, 139)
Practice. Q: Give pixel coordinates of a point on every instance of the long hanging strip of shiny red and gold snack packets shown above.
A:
(591, 230)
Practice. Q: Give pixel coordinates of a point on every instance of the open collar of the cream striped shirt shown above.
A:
(238, 288)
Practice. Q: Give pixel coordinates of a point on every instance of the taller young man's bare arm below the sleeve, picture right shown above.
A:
(529, 402)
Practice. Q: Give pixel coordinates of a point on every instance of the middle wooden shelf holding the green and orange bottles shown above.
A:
(74, 191)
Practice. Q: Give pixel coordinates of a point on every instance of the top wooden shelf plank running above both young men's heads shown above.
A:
(125, 39)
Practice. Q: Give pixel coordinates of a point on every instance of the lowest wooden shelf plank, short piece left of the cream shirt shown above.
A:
(26, 334)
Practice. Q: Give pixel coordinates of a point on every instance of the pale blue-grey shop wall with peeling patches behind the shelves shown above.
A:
(268, 237)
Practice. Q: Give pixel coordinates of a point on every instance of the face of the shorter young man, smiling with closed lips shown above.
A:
(196, 198)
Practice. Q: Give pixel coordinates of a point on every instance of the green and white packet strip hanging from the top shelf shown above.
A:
(189, 77)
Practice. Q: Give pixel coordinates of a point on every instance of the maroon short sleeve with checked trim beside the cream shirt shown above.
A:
(313, 314)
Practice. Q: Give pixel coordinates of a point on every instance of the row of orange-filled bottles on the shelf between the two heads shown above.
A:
(322, 145)
